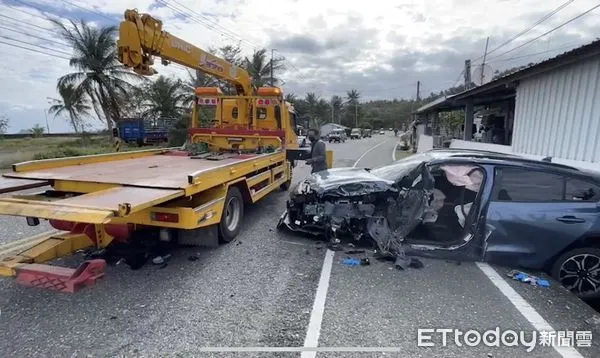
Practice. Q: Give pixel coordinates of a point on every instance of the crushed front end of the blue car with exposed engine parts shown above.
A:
(354, 204)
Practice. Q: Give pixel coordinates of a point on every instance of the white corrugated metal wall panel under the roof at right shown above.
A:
(557, 113)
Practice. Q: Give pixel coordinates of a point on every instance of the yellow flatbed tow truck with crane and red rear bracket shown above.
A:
(194, 194)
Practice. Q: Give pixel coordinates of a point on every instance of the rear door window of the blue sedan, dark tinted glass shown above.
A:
(525, 185)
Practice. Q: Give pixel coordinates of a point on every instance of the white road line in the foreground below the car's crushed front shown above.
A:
(316, 317)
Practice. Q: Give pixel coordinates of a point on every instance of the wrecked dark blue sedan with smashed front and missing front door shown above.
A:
(462, 205)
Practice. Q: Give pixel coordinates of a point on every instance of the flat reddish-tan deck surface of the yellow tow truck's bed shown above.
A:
(156, 171)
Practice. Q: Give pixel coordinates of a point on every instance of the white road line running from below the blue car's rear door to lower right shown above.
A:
(538, 322)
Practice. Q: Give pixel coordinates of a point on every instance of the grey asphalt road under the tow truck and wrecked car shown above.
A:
(266, 290)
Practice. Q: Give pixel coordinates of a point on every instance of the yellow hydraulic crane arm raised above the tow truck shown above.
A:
(141, 37)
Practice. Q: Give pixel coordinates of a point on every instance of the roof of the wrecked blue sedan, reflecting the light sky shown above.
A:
(460, 155)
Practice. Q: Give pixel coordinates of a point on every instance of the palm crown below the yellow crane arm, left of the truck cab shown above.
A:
(163, 98)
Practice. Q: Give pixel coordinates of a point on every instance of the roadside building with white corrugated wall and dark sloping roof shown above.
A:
(551, 108)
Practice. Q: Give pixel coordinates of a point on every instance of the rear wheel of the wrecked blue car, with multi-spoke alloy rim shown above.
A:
(569, 262)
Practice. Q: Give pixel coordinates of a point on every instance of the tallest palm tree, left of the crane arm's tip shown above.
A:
(99, 74)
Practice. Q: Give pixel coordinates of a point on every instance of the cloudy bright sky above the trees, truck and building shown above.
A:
(379, 47)
